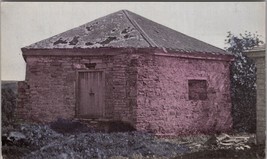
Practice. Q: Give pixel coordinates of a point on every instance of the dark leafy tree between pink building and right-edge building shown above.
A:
(243, 81)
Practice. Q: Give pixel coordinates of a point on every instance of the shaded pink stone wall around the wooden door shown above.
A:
(51, 82)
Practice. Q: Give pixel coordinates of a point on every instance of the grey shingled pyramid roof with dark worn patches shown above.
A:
(125, 29)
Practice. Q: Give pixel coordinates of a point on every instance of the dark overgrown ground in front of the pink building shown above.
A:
(69, 139)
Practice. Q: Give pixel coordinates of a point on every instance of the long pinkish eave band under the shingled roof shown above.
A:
(114, 51)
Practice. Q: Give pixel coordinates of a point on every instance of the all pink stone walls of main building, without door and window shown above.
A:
(146, 89)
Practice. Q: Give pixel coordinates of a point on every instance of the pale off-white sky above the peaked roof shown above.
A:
(25, 23)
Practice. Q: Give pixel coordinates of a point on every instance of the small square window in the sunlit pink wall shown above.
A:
(197, 89)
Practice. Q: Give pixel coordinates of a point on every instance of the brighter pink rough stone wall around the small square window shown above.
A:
(163, 104)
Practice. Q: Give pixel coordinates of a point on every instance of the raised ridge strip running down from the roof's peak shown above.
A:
(142, 32)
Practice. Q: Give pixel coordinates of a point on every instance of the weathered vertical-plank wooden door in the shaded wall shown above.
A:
(91, 94)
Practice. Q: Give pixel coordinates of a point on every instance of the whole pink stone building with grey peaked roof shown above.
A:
(128, 68)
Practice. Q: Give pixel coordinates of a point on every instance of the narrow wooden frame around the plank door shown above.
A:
(77, 97)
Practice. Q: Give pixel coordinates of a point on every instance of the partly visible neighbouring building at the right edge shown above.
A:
(258, 55)
